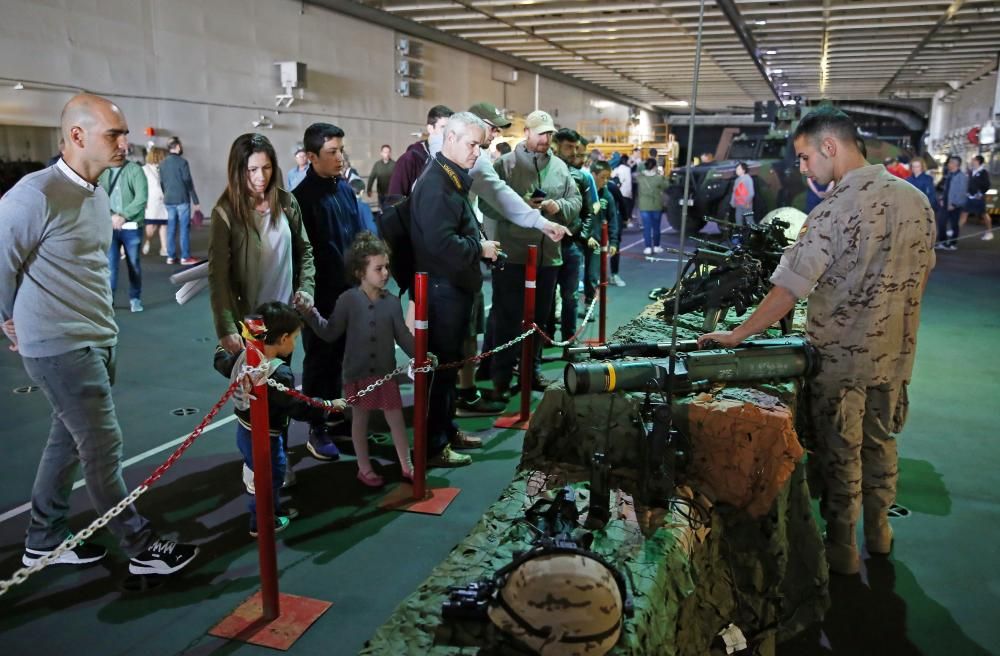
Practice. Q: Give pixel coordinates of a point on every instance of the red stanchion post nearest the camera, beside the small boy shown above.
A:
(261, 439)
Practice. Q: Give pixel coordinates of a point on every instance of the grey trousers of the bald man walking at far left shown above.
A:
(84, 432)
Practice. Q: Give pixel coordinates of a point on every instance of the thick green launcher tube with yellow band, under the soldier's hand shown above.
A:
(787, 357)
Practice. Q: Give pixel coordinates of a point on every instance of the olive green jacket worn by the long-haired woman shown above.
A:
(234, 258)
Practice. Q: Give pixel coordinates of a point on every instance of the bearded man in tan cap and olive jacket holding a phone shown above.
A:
(544, 181)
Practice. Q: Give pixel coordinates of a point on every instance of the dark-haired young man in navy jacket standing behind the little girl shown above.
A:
(331, 219)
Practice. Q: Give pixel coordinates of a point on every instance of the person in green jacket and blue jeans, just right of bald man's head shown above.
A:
(127, 189)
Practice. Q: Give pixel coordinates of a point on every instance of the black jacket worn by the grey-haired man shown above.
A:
(443, 228)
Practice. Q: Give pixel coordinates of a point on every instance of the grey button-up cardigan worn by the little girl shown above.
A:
(373, 329)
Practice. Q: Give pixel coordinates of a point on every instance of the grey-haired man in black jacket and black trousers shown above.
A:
(447, 245)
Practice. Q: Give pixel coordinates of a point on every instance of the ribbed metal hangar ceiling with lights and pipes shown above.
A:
(752, 50)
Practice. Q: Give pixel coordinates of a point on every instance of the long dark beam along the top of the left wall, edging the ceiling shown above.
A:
(420, 31)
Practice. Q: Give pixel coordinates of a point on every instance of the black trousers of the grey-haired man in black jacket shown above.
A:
(449, 310)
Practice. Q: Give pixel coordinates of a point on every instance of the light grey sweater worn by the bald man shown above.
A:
(54, 241)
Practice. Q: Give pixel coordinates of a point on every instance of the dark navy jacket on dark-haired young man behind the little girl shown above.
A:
(330, 216)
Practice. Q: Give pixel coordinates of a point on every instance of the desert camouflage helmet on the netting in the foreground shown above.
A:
(561, 602)
